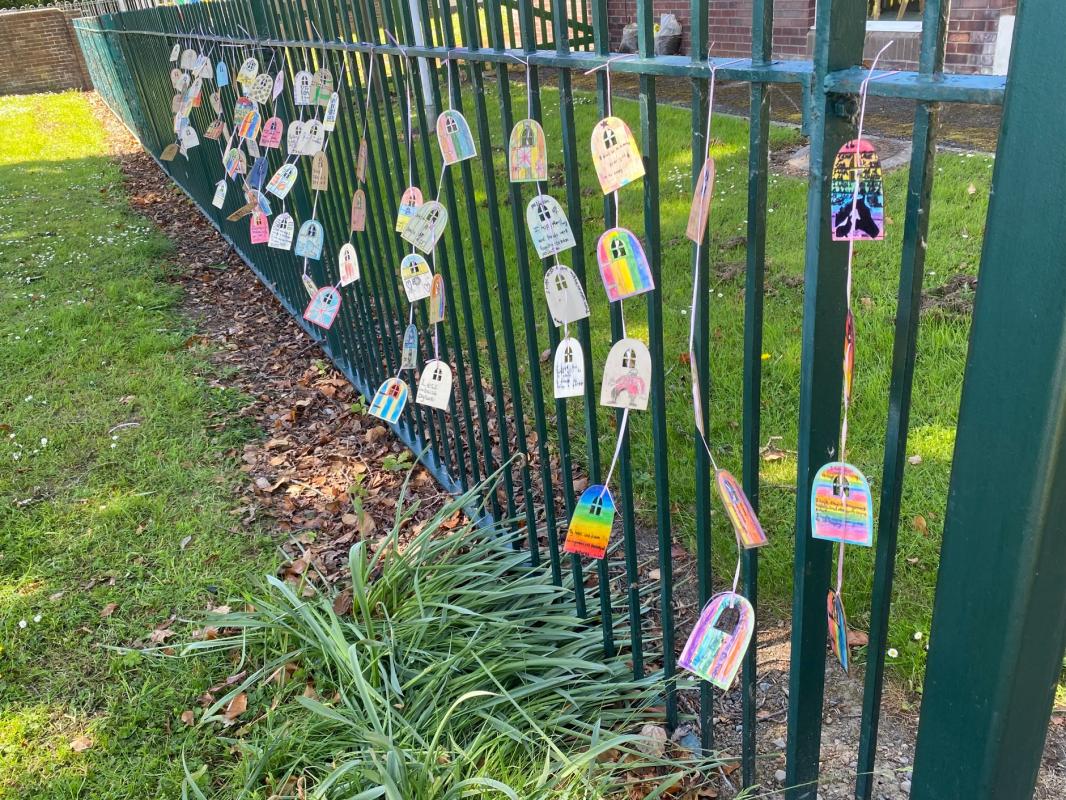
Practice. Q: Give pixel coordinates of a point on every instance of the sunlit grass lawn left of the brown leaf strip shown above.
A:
(115, 498)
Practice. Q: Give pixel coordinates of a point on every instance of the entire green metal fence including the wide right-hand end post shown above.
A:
(1000, 612)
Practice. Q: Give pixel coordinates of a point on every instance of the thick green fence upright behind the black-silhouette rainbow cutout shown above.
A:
(841, 33)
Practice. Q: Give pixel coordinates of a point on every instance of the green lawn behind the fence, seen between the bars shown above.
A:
(960, 205)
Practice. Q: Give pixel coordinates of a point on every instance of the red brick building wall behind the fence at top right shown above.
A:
(972, 30)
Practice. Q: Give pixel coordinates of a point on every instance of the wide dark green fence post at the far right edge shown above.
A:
(999, 622)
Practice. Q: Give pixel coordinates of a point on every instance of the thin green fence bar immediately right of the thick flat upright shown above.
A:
(905, 348)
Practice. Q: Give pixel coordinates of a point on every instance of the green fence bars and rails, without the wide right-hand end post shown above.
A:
(397, 65)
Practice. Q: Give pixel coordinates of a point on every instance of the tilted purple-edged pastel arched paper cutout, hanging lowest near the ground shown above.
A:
(717, 646)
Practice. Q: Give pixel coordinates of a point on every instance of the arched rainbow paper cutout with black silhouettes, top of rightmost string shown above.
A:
(869, 216)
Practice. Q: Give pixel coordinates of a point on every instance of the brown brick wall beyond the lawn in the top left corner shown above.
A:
(39, 53)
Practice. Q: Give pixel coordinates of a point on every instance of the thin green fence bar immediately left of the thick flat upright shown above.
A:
(758, 159)
